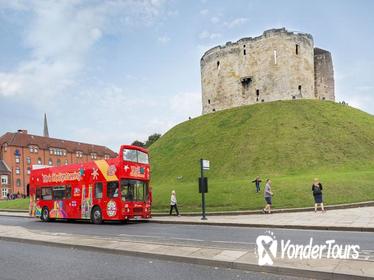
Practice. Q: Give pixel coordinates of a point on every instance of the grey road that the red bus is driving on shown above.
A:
(214, 236)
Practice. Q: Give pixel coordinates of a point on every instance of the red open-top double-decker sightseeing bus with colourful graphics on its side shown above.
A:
(112, 189)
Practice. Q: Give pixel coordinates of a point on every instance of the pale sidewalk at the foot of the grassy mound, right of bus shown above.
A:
(353, 219)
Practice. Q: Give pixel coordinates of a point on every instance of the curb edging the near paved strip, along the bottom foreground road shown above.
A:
(289, 271)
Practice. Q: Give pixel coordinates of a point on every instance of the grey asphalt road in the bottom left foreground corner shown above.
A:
(25, 261)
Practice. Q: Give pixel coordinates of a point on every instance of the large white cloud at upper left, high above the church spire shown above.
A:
(59, 36)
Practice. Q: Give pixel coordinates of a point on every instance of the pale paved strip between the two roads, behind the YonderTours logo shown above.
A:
(244, 259)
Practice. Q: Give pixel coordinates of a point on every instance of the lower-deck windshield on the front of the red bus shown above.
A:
(134, 190)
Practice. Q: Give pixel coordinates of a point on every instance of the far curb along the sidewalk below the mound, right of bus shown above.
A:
(331, 228)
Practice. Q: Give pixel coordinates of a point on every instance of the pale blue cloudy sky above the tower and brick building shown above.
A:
(111, 72)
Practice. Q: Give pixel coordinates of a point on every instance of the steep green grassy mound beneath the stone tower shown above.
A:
(289, 141)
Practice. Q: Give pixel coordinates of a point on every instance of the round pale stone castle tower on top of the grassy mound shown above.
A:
(278, 65)
